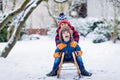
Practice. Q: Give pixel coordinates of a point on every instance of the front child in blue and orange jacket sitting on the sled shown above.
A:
(67, 46)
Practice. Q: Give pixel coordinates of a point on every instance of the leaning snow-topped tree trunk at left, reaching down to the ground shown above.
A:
(20, 23)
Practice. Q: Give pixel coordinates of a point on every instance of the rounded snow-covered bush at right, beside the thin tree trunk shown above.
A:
(103, 31)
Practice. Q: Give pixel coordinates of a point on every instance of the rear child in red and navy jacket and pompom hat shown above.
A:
(63, 22)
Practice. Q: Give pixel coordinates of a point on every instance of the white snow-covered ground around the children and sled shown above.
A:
(31, 60)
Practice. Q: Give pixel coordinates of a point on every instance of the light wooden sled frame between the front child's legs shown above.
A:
(75, 63)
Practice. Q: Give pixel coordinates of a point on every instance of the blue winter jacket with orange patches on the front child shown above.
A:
(67, 48)
